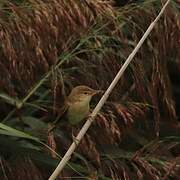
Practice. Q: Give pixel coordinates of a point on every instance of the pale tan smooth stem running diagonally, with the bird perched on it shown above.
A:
(86, 126)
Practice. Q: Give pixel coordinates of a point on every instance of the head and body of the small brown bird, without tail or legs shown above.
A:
(77, 103)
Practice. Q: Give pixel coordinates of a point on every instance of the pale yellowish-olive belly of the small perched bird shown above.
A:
(77, 113)
